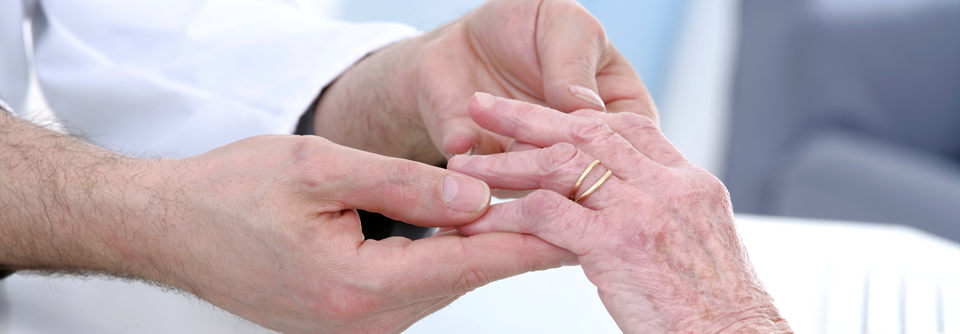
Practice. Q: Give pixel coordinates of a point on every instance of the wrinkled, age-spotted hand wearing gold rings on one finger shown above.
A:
(657, 238)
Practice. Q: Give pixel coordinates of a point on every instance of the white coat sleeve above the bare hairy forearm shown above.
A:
(176, 78)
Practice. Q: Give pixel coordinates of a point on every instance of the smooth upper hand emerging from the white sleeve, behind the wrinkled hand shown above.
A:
(407, 100)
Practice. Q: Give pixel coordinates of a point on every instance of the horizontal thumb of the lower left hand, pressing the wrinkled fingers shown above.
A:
(410, 191)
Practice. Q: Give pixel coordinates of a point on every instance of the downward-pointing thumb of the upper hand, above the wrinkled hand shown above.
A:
(570, 42)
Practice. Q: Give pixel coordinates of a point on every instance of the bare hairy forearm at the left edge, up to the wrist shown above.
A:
(66, 205)
